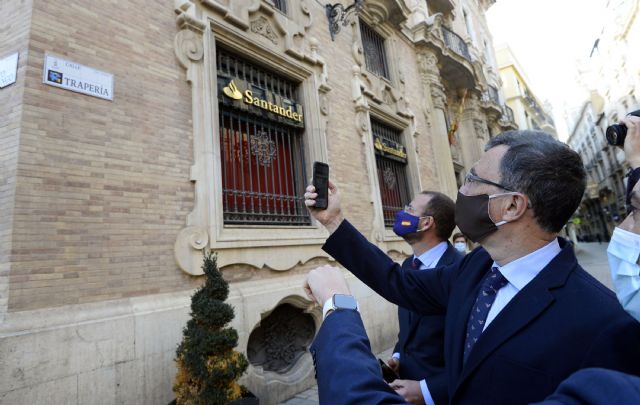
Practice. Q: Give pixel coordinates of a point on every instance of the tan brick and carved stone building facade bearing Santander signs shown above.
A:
(219, 109)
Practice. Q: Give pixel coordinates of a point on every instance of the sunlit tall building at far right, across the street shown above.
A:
(611, 74)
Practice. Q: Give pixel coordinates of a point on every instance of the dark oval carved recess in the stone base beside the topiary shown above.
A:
(281, 339)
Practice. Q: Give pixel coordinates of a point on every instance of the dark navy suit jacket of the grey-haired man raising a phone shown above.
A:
(563, 320)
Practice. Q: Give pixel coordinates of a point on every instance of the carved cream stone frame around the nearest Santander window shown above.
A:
(255, 28)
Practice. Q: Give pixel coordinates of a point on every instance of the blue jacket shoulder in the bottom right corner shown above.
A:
(596, 386)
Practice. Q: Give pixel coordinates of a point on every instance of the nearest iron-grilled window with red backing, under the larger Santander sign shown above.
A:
(263, 167)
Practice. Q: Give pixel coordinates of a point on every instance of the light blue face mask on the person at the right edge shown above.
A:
(624, 254)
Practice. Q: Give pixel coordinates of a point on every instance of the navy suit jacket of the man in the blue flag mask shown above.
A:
(421, 340)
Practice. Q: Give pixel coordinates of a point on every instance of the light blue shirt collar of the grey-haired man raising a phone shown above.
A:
(521, 271)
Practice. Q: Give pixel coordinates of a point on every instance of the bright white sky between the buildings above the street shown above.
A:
(548, 37)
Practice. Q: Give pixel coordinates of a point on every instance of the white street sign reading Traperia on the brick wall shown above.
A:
(73, 76)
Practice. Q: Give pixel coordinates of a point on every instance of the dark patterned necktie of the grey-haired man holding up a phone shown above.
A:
(493, 282)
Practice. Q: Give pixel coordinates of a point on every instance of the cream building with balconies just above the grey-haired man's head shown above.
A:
(529, 112)
